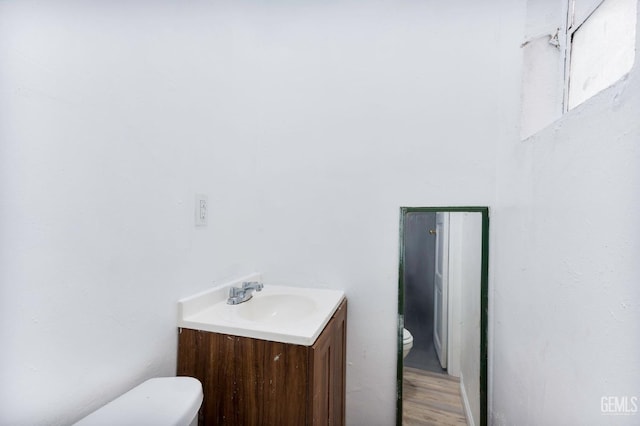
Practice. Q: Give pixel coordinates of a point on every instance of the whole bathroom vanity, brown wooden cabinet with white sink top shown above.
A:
(284, 373)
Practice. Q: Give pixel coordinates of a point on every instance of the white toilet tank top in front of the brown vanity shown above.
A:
(161, 401)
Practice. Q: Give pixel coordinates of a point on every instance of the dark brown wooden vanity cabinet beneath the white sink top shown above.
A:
(258, 382)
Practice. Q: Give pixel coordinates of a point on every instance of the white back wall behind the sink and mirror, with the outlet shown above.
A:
(308, 126)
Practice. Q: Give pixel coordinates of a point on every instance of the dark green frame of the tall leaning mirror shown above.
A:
(484, 303)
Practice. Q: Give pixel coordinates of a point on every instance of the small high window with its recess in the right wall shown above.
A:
(573, 50)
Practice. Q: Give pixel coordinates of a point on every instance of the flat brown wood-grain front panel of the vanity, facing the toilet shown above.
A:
(246, 381)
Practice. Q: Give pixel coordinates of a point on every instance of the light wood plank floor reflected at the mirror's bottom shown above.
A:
(431, 399)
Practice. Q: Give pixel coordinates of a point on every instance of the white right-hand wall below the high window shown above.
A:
(565, 229)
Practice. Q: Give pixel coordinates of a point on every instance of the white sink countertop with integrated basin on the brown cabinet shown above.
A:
(278, 313)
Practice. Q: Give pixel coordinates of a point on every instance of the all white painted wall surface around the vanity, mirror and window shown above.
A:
(308, 125)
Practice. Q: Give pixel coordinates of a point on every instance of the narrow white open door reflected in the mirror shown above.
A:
(440, 287)
